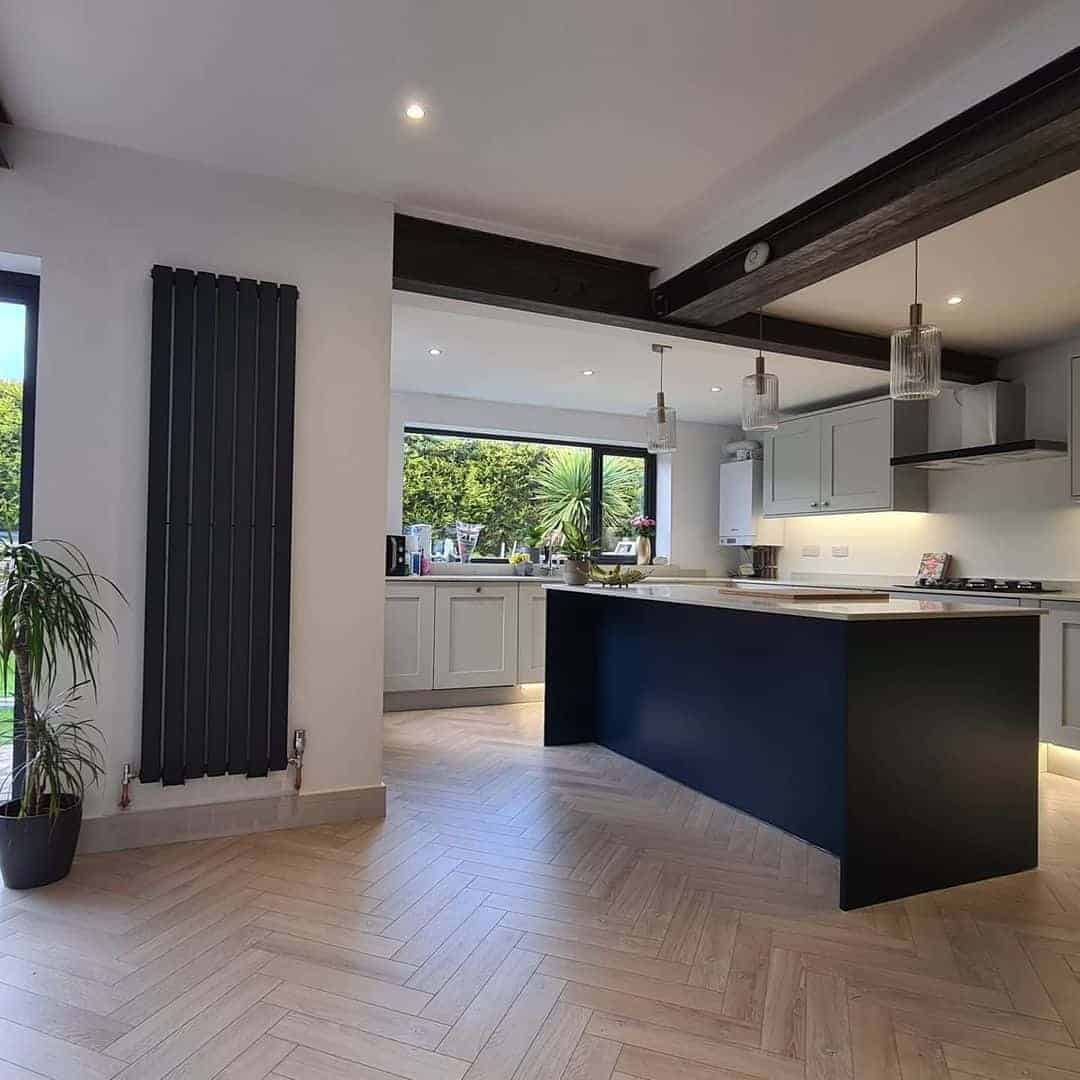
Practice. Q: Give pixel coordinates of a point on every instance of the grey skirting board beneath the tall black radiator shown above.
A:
(134, 829)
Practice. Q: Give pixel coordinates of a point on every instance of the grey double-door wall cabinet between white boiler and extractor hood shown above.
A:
(839, 461)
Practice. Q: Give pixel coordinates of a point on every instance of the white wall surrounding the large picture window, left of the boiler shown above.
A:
(687, 489)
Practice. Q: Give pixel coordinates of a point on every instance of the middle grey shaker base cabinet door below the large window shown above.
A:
(476, 636)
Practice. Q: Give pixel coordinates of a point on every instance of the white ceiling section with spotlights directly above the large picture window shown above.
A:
(503, 356)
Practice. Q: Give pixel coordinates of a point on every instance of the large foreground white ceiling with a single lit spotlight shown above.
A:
(595, 123)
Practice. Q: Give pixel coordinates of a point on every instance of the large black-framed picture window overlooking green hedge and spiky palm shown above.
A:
(519, 490)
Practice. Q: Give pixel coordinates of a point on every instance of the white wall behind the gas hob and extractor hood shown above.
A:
(1009, 520)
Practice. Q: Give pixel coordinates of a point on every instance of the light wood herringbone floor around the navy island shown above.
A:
(530, 914)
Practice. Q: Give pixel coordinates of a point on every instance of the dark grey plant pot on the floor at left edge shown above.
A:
(38, 850)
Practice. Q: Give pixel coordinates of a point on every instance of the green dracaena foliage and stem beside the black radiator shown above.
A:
(52, 612)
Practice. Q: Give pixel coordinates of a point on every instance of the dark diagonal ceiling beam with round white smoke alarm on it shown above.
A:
(1018, 140)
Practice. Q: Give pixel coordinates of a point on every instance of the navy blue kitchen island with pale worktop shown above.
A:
(900, 736)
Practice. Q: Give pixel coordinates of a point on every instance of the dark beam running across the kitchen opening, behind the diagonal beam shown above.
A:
(448, 261)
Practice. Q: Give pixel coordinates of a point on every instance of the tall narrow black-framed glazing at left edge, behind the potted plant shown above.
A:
(19, 341)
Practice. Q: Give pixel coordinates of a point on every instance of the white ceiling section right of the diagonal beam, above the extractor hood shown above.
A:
(1017, 266)
